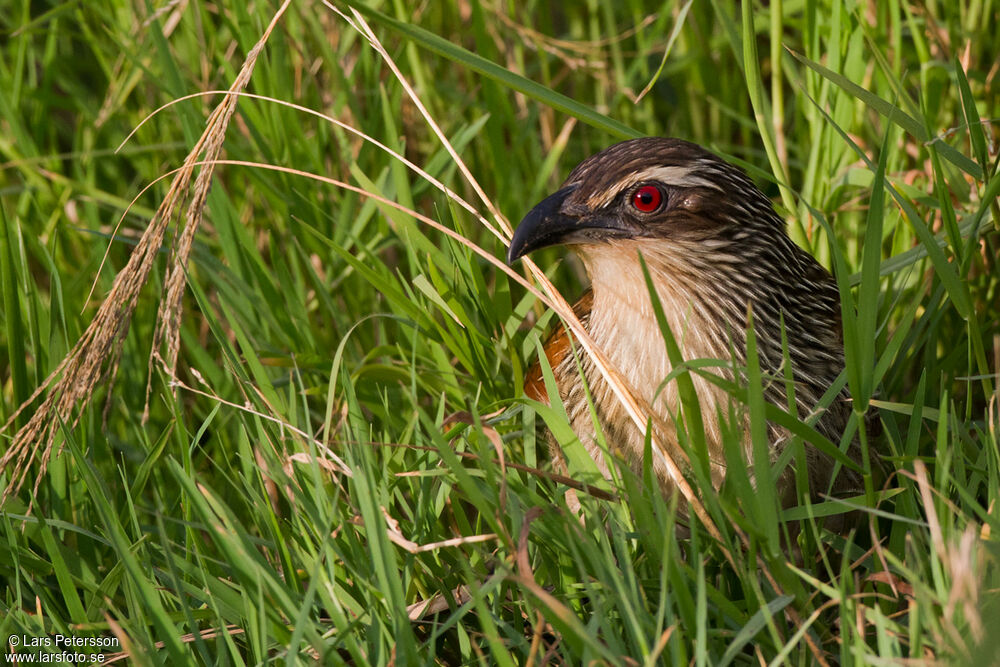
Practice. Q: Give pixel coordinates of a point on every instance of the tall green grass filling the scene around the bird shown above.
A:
(319, 323)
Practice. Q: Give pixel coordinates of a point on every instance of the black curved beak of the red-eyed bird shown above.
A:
(547, 224)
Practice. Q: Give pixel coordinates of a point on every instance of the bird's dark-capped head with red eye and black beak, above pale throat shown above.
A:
(645, 190)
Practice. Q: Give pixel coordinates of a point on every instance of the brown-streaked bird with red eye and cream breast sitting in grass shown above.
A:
(719, 257)
